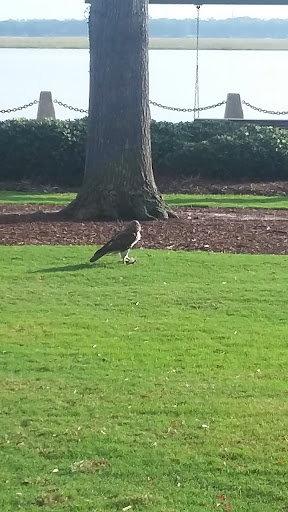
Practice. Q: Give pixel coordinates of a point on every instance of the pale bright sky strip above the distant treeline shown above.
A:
(67, 9)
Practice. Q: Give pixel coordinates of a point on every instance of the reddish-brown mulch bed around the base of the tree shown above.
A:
(254, 231)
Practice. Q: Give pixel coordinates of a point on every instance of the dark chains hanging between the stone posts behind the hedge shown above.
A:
(154, 104)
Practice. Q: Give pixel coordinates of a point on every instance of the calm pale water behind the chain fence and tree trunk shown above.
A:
(260, 77)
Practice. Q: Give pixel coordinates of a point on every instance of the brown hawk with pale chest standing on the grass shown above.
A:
(121, 242)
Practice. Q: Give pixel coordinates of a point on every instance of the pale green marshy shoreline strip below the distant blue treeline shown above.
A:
(155, 43)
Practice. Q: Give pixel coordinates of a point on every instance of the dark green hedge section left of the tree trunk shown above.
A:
(50, 152)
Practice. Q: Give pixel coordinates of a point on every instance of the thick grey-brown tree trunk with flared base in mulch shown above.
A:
(118, 179)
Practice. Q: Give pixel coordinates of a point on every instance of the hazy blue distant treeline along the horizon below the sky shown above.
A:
(233, 27)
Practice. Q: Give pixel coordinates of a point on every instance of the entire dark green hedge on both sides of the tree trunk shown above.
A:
(53, 152)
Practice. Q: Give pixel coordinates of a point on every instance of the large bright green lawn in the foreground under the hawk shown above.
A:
(160, 386)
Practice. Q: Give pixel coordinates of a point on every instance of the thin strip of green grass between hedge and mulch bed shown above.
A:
(197, 200)
